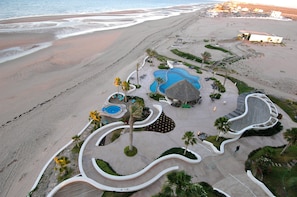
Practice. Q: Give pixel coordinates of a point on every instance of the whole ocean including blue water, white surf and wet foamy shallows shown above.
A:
(80, 24)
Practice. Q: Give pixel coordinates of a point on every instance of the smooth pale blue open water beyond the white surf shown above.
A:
(24, 8)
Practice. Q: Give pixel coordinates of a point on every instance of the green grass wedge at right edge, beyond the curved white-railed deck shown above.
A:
(289, 106)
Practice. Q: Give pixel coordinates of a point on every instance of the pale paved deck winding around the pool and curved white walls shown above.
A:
(224, 172)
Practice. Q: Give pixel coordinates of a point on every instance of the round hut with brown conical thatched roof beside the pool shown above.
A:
(184, 92)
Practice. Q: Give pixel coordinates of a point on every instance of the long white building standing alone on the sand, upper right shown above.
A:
(259, 37)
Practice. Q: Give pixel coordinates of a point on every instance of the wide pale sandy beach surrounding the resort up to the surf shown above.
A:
(46, 96)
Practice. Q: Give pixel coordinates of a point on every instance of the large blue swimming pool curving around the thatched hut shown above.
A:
(173, 76)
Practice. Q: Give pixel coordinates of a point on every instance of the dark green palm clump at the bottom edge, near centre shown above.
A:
(179, 184)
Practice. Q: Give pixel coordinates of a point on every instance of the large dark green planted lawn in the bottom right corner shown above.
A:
(279, 179)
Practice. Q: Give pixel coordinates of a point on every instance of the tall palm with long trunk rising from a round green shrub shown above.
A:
(135, 111)
